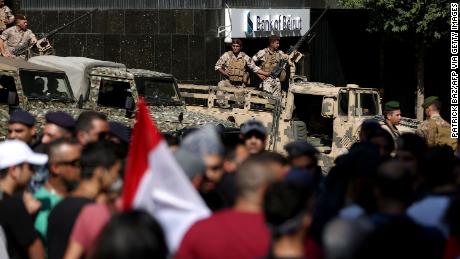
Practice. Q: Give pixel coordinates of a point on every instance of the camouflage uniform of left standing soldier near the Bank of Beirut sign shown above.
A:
(236, 67)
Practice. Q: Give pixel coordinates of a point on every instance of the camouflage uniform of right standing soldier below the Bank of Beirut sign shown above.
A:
(269, 60)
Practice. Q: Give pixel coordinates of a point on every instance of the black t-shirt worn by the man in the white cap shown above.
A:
(17, 224)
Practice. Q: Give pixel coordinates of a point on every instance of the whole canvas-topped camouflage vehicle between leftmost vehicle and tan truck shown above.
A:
(110, 88)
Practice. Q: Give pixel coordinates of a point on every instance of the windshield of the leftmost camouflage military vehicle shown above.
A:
(46, 85)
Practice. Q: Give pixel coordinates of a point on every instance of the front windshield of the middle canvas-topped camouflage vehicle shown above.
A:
(158, 91)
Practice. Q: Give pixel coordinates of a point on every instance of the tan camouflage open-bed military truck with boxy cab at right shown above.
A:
(326, 116)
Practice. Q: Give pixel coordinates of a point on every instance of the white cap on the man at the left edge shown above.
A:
(15, 152)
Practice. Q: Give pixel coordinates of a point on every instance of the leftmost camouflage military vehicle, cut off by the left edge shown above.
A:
(33, 88)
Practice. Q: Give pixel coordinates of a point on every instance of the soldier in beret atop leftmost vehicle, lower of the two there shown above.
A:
(15, 37)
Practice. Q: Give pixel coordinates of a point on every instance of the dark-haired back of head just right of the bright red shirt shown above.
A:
(285, 203)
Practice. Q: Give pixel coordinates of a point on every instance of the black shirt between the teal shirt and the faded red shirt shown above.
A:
(60, 224)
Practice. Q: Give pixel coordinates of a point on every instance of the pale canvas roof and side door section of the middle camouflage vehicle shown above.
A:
(102, 86)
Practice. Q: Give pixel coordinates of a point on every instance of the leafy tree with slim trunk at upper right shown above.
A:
(425, 21)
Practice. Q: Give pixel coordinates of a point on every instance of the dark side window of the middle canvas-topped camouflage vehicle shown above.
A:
(114, 93)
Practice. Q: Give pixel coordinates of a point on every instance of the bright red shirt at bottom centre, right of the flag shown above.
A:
(227, 234)
